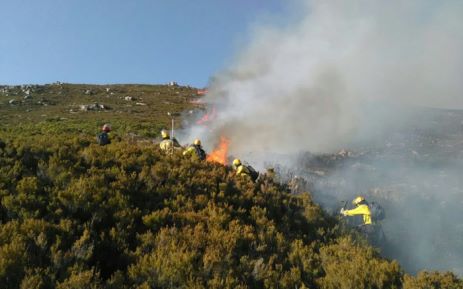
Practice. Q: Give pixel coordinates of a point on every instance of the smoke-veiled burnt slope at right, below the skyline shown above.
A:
(416, 173)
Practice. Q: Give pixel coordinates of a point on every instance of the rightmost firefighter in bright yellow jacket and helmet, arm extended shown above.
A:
(370, 214)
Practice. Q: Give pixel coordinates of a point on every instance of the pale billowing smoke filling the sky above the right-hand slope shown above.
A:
(341, 71)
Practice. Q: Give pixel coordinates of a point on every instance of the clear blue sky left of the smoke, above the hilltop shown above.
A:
(122, 41)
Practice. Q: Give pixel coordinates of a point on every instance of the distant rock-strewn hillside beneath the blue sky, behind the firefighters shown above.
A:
(80, 108)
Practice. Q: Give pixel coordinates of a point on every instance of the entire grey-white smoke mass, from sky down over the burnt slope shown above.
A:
(351, 74)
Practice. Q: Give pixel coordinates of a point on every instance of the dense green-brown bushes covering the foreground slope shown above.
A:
(77, 215)
